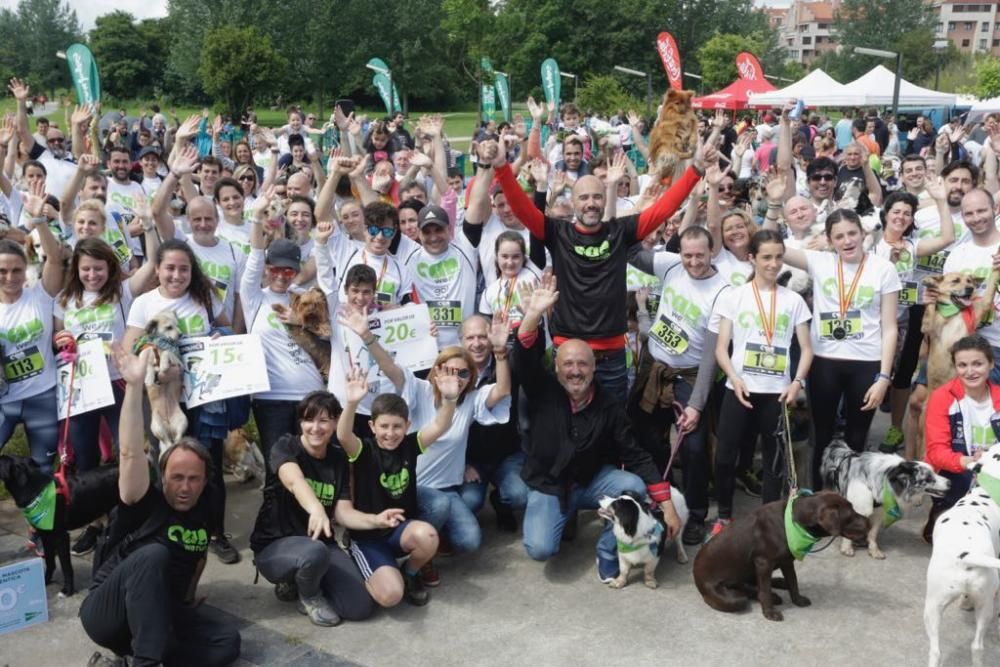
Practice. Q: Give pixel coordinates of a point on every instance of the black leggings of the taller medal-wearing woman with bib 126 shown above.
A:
(830, 381)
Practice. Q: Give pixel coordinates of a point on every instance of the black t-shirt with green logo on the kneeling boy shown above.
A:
(385, 478)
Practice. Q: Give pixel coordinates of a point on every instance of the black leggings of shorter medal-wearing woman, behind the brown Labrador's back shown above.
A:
(737, 426)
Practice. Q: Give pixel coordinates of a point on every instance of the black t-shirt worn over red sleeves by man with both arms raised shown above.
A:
(591, 273)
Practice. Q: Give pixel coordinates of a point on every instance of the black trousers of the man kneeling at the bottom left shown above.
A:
(132, 613)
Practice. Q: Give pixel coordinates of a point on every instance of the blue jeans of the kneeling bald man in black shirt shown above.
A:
(544, 519)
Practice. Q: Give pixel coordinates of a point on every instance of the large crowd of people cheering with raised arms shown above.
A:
(588, 319)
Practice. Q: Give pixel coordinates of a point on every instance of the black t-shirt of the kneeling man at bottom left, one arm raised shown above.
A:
(185, 534)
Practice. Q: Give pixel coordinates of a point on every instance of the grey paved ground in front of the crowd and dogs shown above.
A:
(498, 607)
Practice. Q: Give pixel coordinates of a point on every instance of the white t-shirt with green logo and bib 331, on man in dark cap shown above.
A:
(447, 284)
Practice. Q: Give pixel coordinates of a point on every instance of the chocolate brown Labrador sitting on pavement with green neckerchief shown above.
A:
(739, 561)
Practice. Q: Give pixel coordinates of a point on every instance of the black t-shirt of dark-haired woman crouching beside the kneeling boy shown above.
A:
(281, 515)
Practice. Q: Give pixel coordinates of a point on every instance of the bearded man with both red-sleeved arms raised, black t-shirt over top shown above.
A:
(589, 258)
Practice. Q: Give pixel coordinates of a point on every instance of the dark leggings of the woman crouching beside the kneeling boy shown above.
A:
(317, 568)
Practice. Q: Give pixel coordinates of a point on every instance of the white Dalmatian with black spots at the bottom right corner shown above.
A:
(964, 562)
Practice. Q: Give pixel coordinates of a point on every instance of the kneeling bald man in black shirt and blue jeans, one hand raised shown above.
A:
(579, 440)
